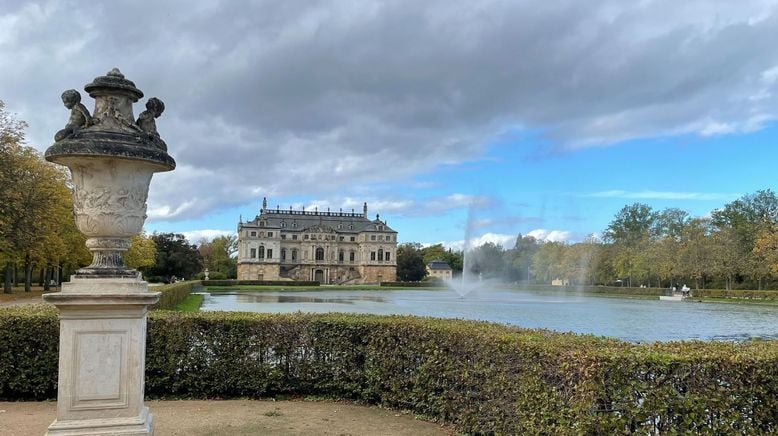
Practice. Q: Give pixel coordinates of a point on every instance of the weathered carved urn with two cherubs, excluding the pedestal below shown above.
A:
(112, 157)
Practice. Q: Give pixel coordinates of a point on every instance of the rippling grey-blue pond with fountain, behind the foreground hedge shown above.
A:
(634, 320)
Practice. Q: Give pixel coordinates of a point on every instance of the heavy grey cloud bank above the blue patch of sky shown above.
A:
(280, 98)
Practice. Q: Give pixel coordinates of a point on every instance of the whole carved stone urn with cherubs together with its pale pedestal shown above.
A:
(112, 157)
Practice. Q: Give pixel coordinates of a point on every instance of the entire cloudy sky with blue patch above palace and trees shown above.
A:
(451, 117)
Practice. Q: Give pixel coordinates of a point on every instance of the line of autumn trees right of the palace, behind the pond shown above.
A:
(735, 247)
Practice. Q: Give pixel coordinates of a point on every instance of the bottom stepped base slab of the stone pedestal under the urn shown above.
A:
(140, 425)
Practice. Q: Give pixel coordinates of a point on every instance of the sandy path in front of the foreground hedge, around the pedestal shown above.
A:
(241, 417)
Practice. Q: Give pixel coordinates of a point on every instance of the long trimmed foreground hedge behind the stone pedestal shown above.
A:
(483, 378)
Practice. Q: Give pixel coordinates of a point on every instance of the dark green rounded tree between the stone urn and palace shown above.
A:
(176, 257)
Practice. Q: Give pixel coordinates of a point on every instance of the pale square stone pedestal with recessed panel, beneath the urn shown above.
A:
(102, 357)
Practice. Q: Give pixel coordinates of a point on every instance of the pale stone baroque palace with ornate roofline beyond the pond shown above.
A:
(327, 247)
